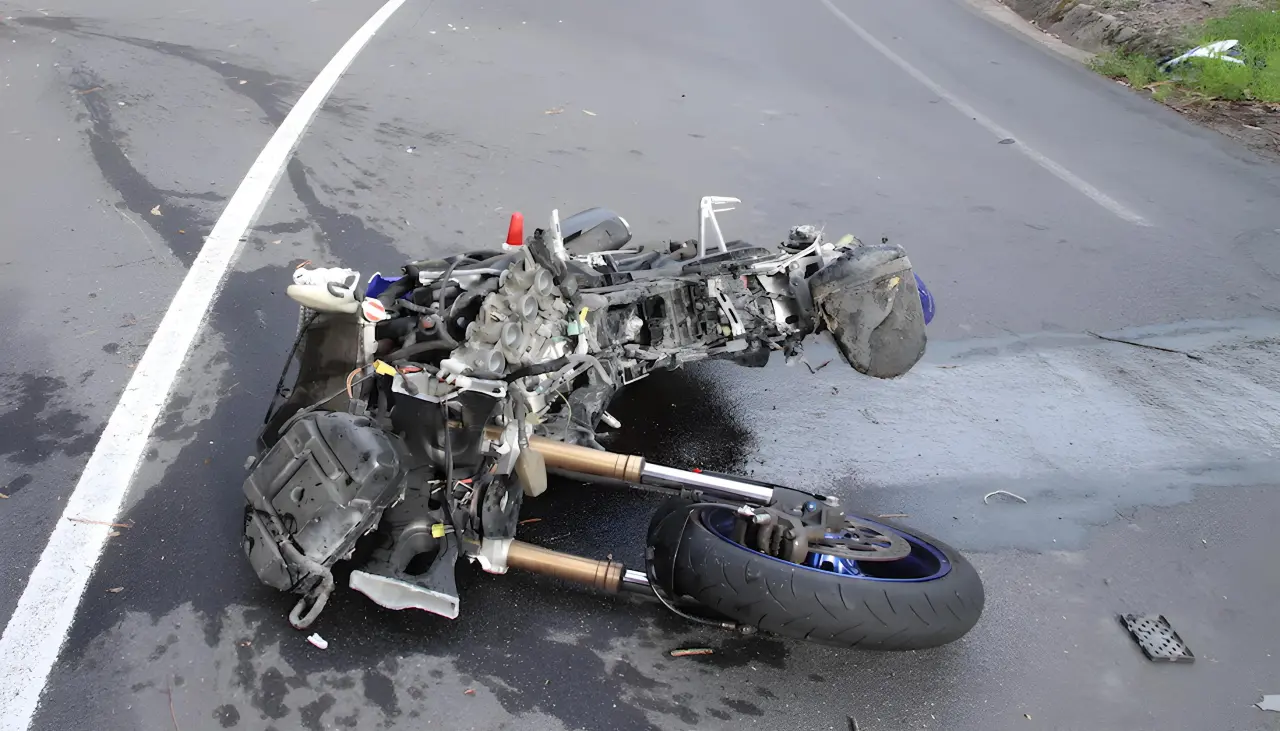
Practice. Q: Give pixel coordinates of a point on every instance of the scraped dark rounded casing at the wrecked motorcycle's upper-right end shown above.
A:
(870, 301)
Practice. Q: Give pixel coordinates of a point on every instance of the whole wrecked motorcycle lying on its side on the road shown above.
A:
(427, 408)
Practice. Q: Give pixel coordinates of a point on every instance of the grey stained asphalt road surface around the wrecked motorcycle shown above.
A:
(1039, 202)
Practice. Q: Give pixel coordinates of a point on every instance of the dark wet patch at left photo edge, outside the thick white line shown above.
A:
(35, 426)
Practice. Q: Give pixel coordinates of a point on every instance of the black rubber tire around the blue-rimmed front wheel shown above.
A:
(819, 606)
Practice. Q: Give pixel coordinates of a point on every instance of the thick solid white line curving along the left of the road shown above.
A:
(35, 636)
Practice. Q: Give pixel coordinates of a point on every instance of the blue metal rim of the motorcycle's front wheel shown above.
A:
(925, 564)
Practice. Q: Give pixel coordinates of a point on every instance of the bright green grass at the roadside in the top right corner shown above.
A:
(1256, 80)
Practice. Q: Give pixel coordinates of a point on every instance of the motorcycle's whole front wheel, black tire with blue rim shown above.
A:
(927, 598)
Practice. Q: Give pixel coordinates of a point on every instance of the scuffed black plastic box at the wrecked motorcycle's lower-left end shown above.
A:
(323, 486)
